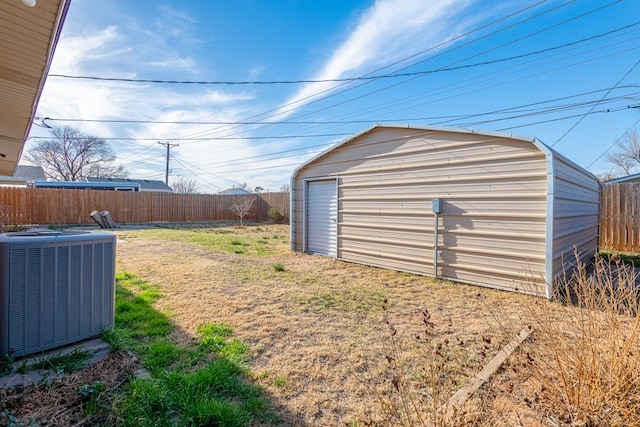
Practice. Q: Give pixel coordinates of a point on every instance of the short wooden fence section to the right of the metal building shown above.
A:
(620, 217)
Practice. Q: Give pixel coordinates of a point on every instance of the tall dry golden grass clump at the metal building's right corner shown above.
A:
(585, 351)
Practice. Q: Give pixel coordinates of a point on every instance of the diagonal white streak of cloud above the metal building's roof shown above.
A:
(390, 30)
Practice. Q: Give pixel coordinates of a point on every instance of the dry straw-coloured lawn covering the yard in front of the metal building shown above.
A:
(341, 344)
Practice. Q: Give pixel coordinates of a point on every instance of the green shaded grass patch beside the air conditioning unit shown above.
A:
(197, 384)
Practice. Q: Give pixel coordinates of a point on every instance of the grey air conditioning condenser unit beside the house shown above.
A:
(56, 288)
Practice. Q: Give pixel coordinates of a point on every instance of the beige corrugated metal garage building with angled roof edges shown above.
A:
(509, 210)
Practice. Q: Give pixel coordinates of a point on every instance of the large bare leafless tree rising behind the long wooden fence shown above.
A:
(73, 156)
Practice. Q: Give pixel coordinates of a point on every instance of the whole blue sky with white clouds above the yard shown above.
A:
(563, 71)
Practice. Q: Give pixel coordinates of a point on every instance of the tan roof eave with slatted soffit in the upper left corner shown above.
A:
(29, 36)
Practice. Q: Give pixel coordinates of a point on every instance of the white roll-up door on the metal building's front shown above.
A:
(322, 217)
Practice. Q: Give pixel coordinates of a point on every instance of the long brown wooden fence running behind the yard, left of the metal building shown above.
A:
(25, 206)
